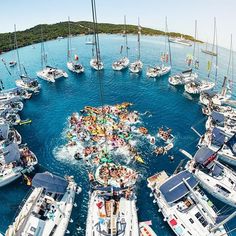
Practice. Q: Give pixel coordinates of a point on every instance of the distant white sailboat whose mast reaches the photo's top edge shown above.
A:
(96, 62)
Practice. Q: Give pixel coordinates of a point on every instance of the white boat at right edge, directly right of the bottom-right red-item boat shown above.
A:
(214, 177)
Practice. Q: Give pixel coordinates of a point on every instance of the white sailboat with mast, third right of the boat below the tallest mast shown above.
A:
(158, 71)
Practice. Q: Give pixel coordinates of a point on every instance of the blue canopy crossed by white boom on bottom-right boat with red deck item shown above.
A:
(174, 188)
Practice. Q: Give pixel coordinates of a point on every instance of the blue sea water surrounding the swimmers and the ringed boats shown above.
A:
(50, 109)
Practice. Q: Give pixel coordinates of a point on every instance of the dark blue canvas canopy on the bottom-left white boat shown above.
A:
(51, 183)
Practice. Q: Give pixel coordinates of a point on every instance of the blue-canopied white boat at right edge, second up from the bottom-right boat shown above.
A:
(220, 142)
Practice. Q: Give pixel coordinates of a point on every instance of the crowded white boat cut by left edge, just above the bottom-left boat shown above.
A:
(15, 161)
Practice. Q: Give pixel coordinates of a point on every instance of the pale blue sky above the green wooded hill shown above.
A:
(181, 14)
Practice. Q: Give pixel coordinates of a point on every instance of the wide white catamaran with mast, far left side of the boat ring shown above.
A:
(48, 73)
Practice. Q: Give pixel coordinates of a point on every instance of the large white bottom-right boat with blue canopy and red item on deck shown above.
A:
(184, 206)
